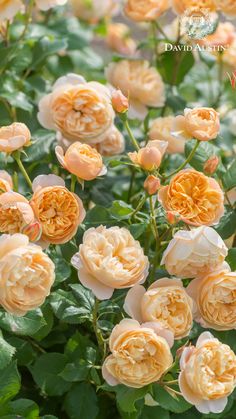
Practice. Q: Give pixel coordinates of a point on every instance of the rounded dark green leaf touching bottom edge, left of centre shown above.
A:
(81, 402)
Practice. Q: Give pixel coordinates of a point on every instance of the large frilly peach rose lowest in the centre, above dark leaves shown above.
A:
(140, 354)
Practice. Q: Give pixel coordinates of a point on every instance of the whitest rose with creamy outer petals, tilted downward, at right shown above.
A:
(194, 253)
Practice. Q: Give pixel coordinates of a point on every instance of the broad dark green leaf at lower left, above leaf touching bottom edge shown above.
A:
(46, 372)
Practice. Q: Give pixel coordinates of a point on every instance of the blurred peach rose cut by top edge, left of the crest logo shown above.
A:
(145, 11)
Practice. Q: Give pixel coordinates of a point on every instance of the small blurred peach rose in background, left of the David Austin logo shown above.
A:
(118, 39)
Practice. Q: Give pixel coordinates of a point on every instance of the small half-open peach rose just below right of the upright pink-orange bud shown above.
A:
(149, 157)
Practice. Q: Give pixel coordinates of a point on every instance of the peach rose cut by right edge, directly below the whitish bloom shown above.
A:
(215, 297)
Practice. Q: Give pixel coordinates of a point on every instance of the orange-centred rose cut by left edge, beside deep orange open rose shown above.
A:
(15, 212)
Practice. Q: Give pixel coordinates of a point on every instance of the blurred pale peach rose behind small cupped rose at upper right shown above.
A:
(163, 129)
